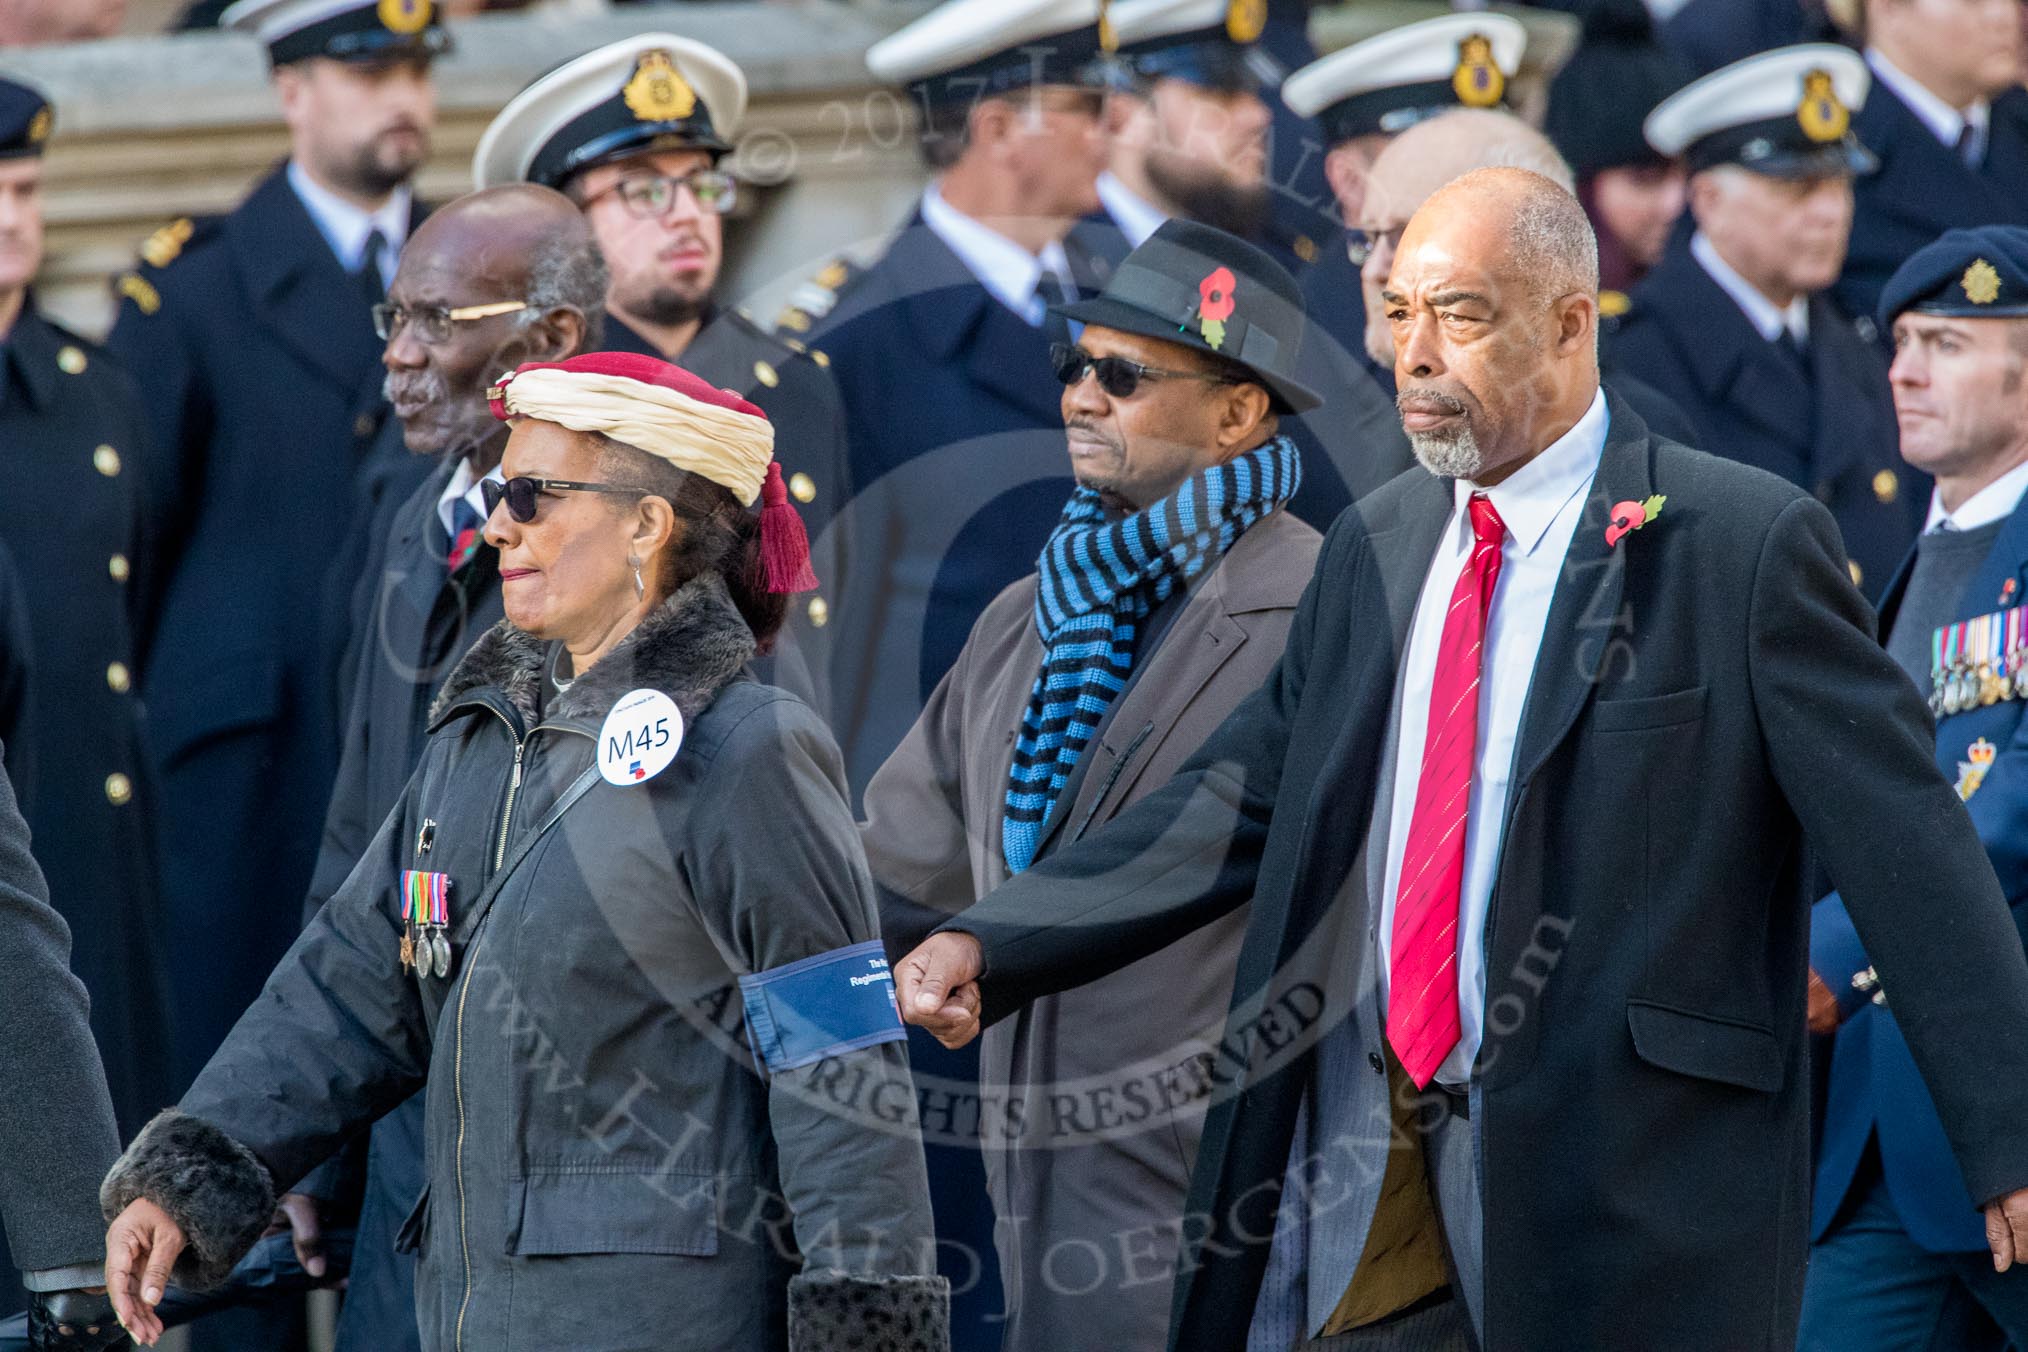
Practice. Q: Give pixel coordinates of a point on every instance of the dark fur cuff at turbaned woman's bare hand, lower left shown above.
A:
(208, 1183)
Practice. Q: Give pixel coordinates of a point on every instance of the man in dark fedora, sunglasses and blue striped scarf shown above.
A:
(1098, 680)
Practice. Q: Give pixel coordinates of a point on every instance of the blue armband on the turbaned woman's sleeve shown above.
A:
(822, 1006)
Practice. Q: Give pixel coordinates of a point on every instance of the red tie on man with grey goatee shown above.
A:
(1423, 1002)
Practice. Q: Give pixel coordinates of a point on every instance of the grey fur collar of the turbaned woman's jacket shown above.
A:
(691, 648)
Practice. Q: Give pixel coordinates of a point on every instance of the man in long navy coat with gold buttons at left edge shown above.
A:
(72, 425)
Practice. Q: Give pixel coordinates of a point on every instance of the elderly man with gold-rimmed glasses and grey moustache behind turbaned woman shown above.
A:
(496, 279)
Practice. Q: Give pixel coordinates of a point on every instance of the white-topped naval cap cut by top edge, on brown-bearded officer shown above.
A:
(1208, 44)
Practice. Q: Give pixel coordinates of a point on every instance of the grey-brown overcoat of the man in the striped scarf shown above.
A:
(1092, 1102)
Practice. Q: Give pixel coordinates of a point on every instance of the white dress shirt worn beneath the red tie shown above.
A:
(1540, 504)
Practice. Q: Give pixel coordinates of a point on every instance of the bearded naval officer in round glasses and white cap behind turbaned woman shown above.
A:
(636, 133)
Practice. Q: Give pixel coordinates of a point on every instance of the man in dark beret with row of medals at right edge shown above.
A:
(1897, 1248)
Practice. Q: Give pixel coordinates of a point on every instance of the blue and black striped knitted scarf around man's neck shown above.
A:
(1098, 585)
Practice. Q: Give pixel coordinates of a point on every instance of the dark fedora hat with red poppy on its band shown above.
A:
(1212, 293)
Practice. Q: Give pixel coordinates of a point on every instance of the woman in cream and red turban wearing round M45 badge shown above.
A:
(620, 927)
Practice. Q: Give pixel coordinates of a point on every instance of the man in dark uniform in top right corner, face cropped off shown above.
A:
(1948, 119)
